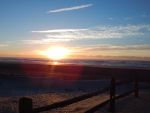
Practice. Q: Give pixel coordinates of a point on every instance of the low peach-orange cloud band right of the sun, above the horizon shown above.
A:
(112, 50)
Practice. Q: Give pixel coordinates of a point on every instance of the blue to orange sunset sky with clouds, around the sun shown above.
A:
(91, 29)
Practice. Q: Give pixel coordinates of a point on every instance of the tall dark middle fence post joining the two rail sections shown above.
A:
(112, 95)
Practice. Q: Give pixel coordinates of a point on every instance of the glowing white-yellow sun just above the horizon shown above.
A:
(57, 53)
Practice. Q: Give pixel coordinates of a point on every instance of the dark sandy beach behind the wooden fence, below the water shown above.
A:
(46, 91)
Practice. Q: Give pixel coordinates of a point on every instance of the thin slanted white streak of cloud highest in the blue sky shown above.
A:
(70, 8)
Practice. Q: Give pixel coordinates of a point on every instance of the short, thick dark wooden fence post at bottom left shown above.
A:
(25, 105)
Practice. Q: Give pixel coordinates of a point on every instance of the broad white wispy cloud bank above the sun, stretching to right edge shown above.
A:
(60, 35)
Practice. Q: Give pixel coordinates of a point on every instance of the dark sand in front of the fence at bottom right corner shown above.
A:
(131, 104)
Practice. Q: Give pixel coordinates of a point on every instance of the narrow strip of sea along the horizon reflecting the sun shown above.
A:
(122, 63)
